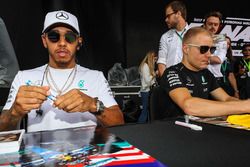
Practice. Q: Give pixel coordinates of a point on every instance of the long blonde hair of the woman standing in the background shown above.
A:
(150, 60)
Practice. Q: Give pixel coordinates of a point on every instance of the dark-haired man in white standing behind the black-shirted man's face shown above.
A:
(212, 23)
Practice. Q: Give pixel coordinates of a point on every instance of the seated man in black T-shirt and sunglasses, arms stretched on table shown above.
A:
(189, 84)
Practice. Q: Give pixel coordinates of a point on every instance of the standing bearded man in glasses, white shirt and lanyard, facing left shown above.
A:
(170, 52)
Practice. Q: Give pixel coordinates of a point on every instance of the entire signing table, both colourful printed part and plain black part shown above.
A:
(156, 144)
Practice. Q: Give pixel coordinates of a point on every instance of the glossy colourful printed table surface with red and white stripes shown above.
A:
(78, 147)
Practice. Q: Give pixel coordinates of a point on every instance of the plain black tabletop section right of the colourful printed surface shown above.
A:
(178, 146)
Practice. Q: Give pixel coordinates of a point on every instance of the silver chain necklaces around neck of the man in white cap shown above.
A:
(54, 86)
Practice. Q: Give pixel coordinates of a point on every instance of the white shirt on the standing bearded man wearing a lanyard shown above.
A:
(170, 47)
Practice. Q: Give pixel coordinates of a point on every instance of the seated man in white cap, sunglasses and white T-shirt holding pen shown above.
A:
(60, 94)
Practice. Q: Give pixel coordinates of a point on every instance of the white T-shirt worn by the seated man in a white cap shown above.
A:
(90, 82)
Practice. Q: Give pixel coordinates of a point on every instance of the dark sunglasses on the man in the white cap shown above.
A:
(54, 36)
